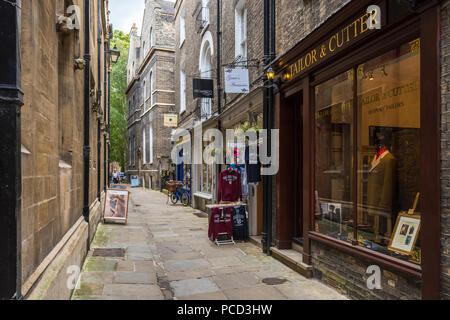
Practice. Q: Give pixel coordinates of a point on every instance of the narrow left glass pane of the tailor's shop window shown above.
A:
(333, 157)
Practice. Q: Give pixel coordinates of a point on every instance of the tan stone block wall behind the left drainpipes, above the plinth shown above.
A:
(52, 129)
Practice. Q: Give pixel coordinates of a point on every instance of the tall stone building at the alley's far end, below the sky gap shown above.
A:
(151, 94)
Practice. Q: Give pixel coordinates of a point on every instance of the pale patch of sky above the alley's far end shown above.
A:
(126, 12)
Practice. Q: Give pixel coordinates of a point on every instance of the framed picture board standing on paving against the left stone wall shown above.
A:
(116, 206)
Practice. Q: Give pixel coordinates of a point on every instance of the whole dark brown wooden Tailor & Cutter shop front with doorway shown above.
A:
(358, 108)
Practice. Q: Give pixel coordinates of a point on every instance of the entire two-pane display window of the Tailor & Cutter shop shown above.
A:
(387, 158)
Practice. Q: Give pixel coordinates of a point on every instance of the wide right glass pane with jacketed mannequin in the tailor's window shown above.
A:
(388, 146)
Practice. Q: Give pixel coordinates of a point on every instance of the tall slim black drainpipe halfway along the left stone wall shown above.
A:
(87, 110)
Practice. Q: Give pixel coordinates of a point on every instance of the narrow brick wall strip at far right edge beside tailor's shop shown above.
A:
(445, 137)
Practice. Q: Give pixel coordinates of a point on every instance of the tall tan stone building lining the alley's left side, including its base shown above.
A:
(56, 140)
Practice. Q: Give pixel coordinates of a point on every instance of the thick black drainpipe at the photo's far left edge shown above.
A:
(11, 100)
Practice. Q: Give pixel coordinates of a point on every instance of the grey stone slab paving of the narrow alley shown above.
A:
(167, 255)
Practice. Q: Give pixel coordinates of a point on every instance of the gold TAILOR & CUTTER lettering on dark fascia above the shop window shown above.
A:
(346, 36)
